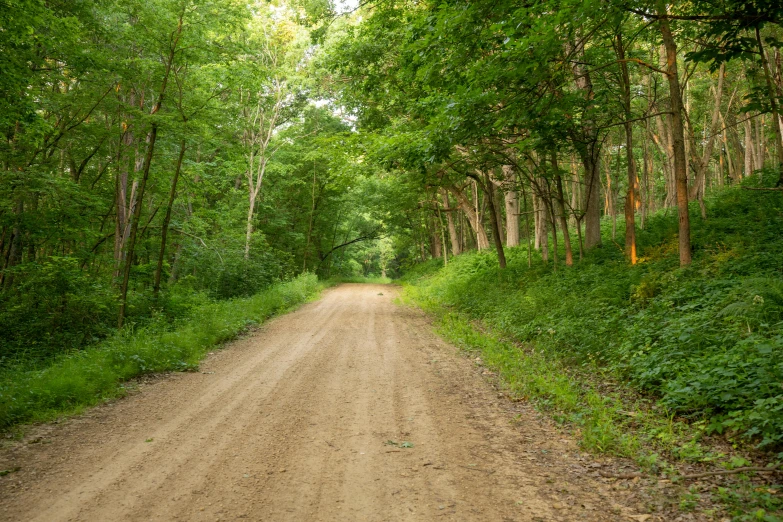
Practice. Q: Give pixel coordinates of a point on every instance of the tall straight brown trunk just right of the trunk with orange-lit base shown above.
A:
(680, 164)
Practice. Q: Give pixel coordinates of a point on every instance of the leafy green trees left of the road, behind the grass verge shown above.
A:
(133, 135)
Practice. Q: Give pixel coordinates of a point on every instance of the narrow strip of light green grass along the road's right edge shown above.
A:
(608, 417)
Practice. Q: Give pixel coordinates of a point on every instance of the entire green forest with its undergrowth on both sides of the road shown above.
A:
(601, 180)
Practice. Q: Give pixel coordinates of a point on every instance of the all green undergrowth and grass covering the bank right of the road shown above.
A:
(650, 362)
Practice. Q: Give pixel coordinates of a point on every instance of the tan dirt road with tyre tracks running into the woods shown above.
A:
(348, 409)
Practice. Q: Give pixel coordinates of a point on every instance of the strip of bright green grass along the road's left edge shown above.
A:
(84, 378)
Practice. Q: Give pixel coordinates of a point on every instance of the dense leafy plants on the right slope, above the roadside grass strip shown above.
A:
(703, 338)
